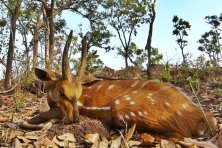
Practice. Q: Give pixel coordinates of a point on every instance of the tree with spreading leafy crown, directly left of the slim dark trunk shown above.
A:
(125, 17)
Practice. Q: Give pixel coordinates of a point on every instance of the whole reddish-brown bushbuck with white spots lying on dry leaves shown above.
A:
(154, 106)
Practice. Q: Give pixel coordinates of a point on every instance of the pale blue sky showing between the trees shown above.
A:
(193, 11)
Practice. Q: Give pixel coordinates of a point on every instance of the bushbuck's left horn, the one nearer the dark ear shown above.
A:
(66, 72)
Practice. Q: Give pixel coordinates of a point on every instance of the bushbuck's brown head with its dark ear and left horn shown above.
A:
(62, 91)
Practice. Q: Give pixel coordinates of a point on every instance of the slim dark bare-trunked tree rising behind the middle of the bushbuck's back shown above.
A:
(148, 47)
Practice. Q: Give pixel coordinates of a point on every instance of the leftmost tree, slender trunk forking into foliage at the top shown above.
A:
(13, 9)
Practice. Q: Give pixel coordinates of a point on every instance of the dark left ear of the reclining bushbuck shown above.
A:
(44, 75)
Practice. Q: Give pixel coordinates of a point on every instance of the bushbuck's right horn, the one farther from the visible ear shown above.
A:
(82, 67)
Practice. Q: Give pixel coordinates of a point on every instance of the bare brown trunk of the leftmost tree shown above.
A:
(14, 17)
